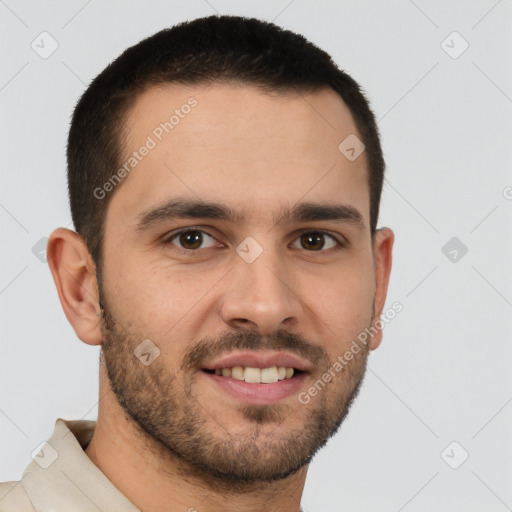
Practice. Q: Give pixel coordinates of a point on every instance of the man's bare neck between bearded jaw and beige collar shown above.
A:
(156, 481)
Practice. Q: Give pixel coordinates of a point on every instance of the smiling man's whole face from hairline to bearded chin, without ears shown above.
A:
(269, 277)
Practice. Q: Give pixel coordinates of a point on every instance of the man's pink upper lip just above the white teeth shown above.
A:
(259, 359)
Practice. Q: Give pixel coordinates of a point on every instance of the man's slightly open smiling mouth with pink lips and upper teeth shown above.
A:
(258, 378)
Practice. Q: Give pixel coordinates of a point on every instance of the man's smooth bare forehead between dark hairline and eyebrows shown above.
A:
(251, 149)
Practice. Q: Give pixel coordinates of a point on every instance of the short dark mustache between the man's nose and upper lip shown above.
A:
(279, 340)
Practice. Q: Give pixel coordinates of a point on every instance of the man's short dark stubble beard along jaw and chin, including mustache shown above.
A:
(183, 434)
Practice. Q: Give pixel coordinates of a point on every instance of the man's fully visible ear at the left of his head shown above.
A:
(74, 273)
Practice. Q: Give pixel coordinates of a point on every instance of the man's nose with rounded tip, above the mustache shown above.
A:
(261, 296)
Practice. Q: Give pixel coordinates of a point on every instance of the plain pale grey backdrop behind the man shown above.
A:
(431, 428)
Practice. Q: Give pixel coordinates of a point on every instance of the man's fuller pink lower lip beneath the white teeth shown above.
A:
(258, 394)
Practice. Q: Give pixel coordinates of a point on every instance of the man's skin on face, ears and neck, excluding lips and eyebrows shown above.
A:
(165, 436)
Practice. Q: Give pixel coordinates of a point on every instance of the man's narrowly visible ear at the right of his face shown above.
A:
(382, 254)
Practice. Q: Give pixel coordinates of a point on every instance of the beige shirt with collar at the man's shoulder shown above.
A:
(62, 478)
